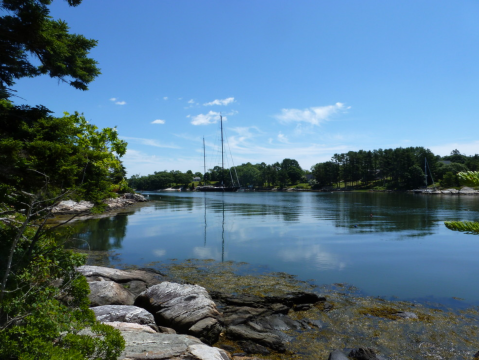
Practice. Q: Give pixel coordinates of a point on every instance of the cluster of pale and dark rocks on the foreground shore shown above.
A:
(160, 319)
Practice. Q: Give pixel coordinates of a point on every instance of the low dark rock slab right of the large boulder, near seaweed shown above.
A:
(256, 334)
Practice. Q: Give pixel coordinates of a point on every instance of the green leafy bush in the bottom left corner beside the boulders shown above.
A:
(44, 301)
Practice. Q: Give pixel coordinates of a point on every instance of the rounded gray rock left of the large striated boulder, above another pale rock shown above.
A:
(109, 293)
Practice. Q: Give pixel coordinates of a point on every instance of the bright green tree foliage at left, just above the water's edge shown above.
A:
(73, 154)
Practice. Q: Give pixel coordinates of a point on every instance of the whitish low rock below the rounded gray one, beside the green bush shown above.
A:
(124, 313)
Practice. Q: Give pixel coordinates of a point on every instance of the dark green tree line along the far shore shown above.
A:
(399, 168)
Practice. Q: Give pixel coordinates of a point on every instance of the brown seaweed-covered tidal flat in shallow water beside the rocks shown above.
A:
(347, 319)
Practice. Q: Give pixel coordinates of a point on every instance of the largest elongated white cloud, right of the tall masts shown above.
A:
(312, 115)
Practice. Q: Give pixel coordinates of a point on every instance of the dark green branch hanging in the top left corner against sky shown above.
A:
(26, 31)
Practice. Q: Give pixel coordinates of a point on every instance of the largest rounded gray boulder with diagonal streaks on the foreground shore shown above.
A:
(185, 308)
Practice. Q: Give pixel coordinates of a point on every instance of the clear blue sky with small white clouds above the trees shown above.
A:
(293, 79)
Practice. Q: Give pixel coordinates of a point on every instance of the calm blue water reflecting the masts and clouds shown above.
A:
(403, 250)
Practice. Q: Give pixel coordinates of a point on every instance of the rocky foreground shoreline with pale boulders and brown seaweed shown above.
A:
(162, 318)
